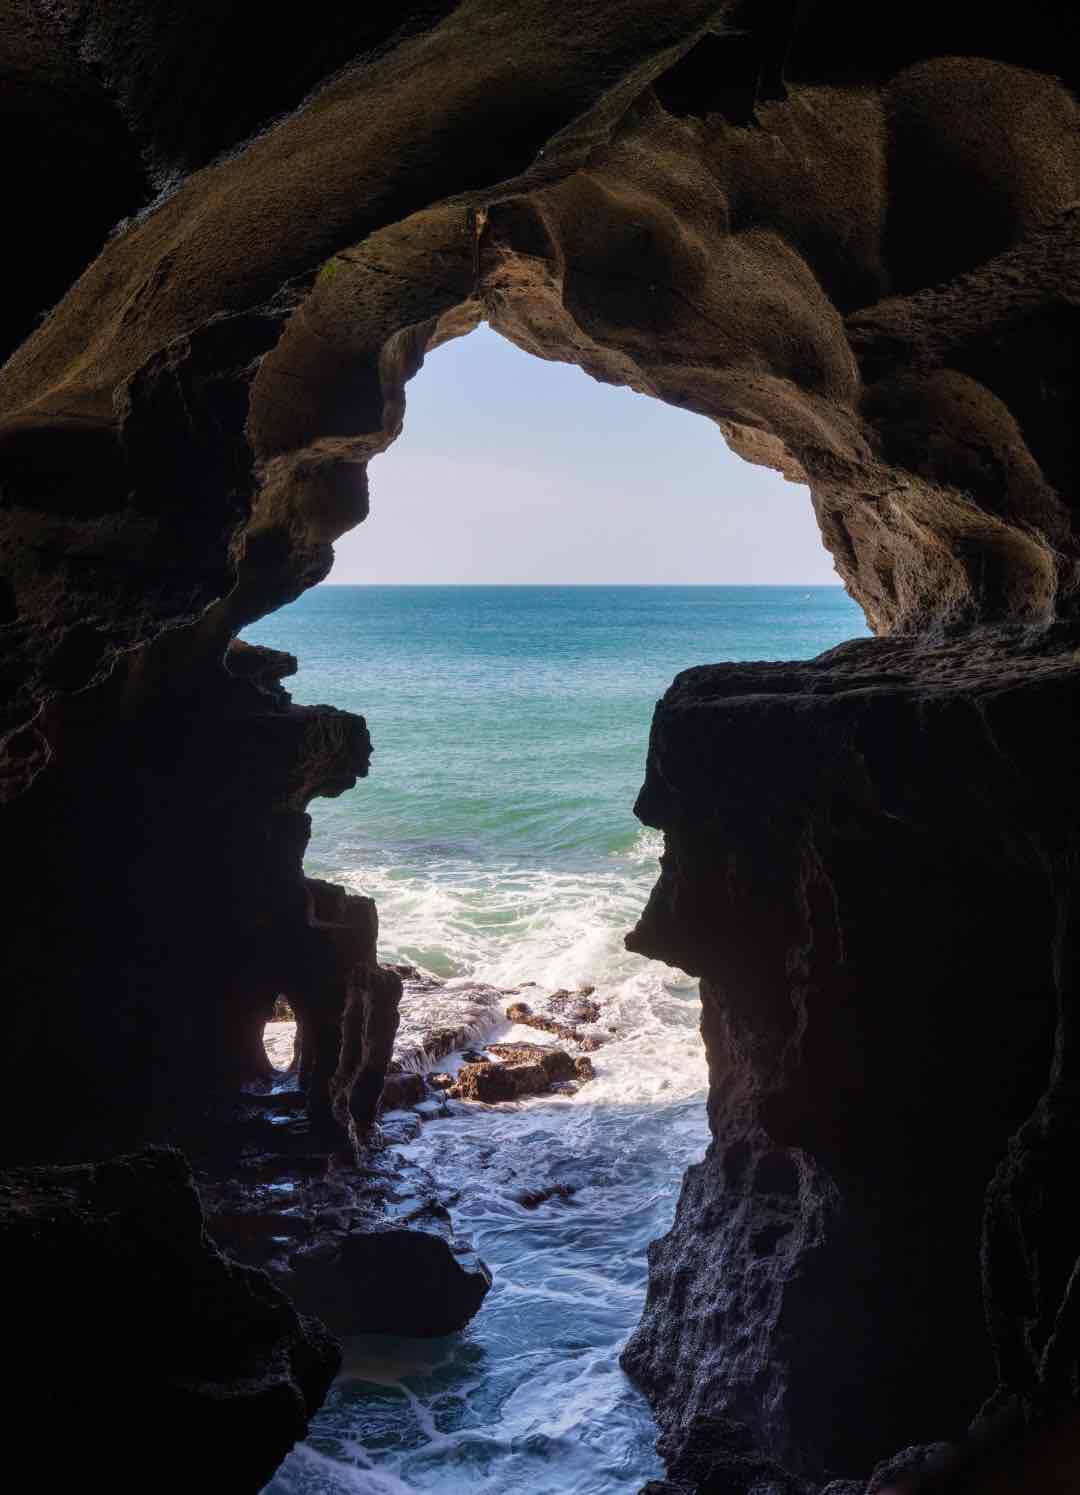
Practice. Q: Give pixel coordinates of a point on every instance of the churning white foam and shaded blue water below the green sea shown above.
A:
(530, 1399)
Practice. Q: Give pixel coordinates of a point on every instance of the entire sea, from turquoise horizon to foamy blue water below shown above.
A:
(496, 832)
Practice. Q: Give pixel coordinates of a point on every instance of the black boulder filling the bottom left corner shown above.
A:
(128, 1325)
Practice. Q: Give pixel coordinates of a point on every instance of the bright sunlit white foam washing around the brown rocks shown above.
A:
(508, 926)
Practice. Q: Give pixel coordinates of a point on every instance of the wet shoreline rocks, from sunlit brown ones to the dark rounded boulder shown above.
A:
(366, 1242)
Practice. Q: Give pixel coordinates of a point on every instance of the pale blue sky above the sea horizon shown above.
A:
(514, 470)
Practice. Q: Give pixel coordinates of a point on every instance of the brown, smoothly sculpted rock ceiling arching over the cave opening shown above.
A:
(248, 340)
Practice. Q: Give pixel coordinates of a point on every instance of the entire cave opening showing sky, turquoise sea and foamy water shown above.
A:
(544, 555)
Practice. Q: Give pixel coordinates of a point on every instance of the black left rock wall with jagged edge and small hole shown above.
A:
(165, 908)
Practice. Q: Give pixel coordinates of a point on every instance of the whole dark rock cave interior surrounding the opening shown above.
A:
(847, 240)
